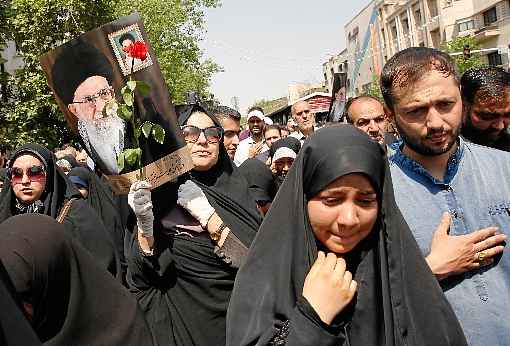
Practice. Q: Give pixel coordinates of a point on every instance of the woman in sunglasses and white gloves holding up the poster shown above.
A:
(189, 244)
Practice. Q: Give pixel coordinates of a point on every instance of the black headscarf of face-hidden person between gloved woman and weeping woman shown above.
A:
(260, 180)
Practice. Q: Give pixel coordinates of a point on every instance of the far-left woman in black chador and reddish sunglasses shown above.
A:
(36, 185)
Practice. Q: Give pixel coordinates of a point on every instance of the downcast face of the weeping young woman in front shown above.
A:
(344, 212)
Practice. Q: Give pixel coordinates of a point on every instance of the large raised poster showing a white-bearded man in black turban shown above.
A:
(88, 78)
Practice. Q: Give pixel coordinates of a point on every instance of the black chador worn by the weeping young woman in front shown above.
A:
(398, 301)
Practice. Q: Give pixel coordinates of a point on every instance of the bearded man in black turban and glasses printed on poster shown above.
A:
(82, 78)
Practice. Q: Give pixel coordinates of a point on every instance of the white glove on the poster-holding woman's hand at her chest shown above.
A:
(192, 198)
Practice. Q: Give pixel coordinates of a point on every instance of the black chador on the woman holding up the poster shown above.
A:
(184, 287)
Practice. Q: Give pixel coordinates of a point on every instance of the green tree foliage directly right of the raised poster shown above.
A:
(175, 27)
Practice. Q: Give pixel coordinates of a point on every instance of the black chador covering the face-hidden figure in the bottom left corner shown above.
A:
(74, 301)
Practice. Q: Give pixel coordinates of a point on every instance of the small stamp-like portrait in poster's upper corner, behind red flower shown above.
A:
(121, 41)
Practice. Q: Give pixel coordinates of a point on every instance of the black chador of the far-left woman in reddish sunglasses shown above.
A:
(82, 222)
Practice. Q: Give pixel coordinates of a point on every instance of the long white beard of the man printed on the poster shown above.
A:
(106, 137)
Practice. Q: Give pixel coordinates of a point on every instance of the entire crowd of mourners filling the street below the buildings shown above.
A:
(388, 228)
